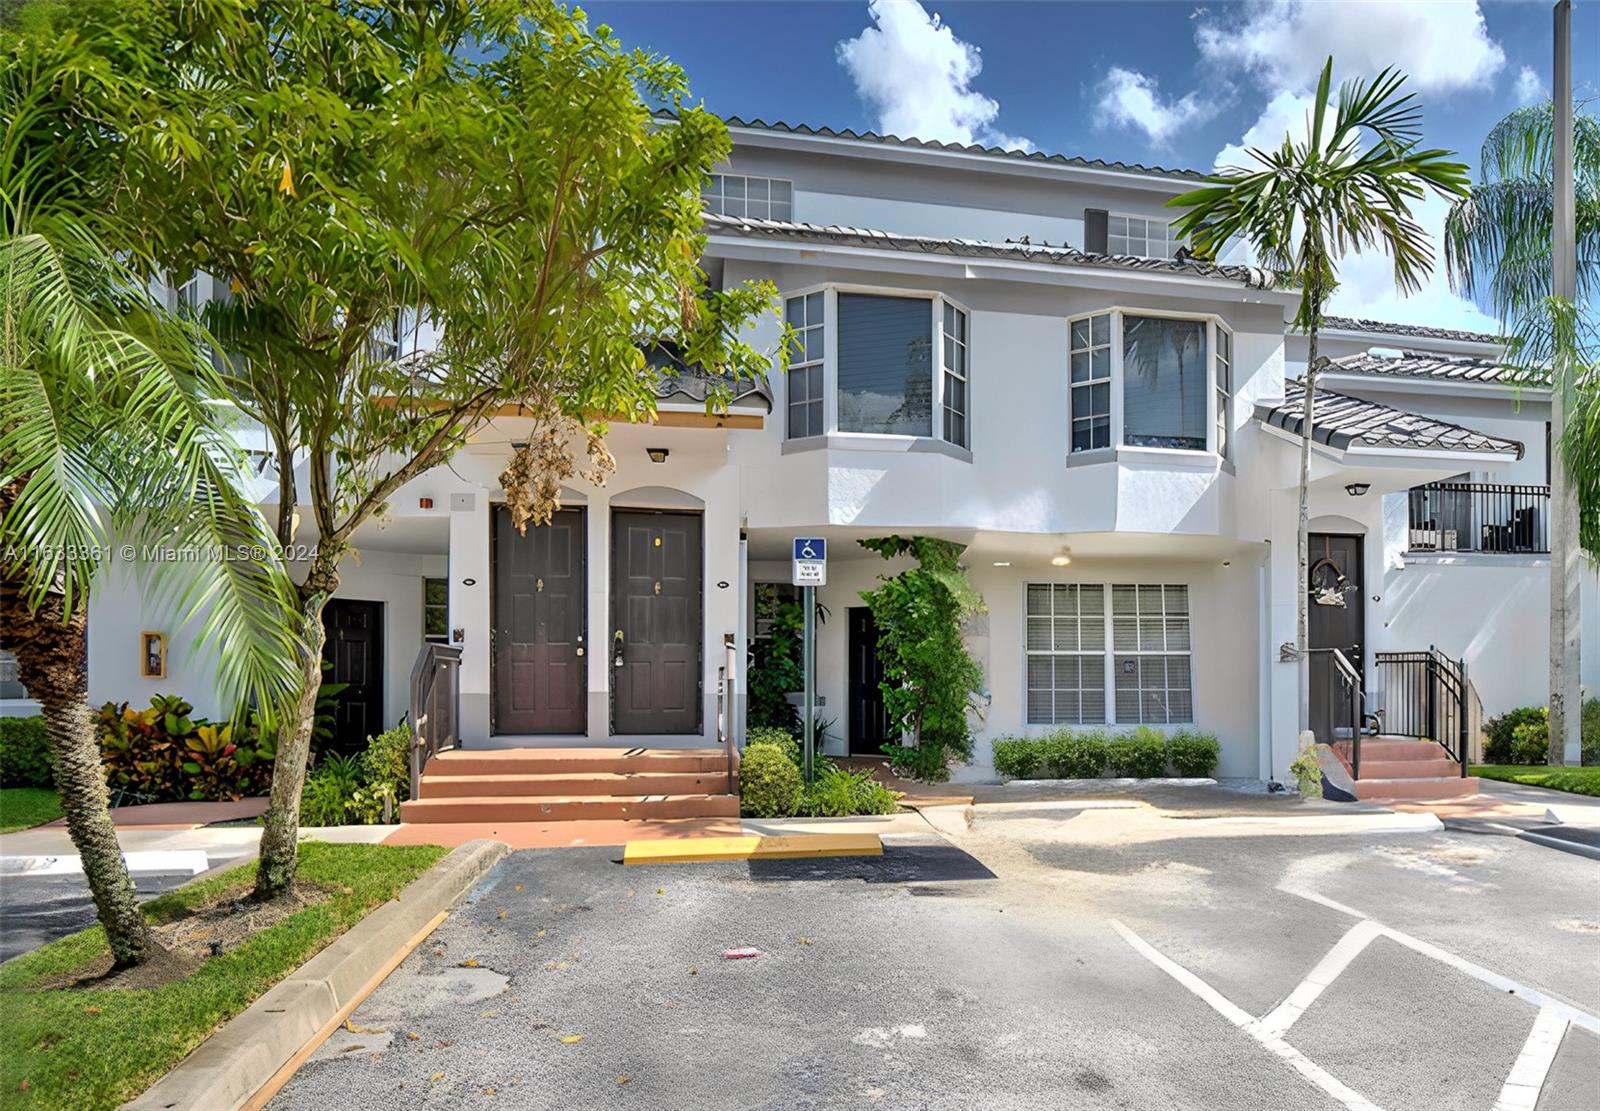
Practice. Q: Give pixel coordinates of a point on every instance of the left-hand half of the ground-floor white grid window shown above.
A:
(1066, 654)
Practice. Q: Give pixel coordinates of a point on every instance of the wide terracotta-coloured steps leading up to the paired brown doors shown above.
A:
(574, 785)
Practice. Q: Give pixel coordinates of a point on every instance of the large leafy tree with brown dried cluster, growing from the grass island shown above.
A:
(492, 174)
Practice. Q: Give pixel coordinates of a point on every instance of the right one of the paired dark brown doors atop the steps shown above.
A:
(655, 624)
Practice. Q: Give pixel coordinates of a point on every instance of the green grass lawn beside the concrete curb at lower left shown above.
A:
(97, 1049)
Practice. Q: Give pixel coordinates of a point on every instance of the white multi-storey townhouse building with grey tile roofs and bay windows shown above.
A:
(1010, 351)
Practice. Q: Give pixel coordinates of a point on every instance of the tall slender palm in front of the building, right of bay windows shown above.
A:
(1348, 187)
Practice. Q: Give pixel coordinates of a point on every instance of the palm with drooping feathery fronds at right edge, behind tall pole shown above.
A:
(1498, 249)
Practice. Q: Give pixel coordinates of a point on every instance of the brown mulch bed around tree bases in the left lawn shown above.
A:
(210, 929)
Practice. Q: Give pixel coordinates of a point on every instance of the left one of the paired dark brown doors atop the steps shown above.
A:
(540, 660)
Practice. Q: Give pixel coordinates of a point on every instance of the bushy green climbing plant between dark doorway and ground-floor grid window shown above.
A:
(930, 680)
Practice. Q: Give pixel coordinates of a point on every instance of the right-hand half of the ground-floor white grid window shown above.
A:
(1151, 654)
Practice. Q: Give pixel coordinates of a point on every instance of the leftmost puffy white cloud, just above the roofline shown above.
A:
(916, 76)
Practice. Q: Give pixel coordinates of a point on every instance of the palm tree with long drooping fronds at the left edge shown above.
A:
(110, 438)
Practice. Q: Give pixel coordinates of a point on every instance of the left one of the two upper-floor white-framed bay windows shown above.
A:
(871, 364)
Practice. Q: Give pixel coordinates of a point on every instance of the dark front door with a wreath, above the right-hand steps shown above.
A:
(1337, 620)
